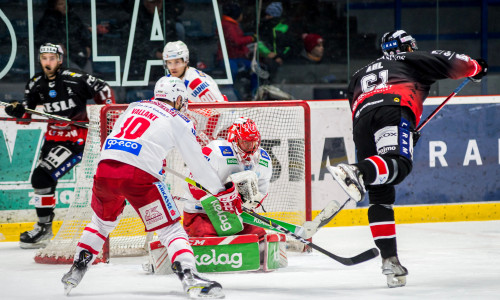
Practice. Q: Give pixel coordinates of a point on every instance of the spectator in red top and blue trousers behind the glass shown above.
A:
(236, 45)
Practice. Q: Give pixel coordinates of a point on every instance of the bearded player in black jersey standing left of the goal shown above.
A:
(62, 92)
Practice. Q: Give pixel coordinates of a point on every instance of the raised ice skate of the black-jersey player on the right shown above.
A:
(350, 179)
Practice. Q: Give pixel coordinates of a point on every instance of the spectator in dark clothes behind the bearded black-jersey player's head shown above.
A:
(52, 27)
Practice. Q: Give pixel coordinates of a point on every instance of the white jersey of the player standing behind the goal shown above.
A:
(201, 87)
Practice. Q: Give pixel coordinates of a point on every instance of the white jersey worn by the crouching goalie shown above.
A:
(222, 157)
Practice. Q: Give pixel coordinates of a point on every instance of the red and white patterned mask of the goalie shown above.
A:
(245, 137)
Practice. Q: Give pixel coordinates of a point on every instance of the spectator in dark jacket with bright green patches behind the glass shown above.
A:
(276, 42)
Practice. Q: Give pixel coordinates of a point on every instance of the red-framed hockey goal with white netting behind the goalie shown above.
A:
(99, 121)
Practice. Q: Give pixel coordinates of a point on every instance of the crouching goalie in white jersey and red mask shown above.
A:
(240, 152)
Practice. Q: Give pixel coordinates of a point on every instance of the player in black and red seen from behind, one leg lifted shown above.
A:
(386, 99)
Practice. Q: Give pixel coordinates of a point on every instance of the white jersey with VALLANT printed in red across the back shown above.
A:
(147, 131)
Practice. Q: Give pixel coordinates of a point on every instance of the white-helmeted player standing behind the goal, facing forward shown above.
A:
(200, 86)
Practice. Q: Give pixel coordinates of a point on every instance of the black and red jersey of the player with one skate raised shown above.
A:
(405, 79)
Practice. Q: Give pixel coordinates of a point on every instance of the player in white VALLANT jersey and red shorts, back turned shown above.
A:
(130, 167)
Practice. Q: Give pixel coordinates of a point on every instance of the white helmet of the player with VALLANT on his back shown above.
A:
(172, 89)
